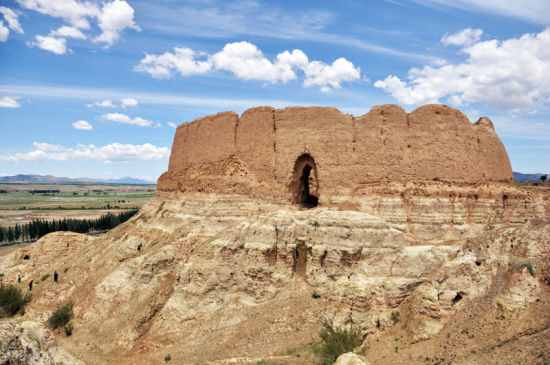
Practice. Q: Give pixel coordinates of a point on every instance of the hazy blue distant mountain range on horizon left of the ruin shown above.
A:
(50, 179)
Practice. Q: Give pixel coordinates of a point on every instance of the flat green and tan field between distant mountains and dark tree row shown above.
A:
(21, 203)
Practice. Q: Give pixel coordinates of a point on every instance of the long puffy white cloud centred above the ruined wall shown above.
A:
(247, 62)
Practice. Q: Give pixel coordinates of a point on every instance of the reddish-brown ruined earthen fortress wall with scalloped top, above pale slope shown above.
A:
(261, 148)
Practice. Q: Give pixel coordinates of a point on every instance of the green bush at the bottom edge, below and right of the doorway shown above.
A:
(335, 342)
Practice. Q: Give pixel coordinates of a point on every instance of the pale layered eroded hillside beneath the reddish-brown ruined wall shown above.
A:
(230, 276)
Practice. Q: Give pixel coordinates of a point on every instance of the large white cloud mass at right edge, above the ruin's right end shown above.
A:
(513, 75)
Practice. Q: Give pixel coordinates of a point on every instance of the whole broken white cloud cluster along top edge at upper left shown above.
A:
(112, 18)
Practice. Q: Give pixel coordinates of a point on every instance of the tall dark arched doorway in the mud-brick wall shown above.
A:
(305, 185)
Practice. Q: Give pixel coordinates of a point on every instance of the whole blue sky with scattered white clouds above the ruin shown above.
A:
(96, 88)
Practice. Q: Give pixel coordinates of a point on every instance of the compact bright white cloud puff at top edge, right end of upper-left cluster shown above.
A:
(113, 19)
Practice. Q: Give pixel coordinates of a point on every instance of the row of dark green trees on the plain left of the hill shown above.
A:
(38, 227)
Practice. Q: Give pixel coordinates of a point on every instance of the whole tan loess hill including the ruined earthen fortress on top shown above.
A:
(386, 213)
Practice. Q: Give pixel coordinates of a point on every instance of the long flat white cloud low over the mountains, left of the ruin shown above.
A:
(109, 153)
